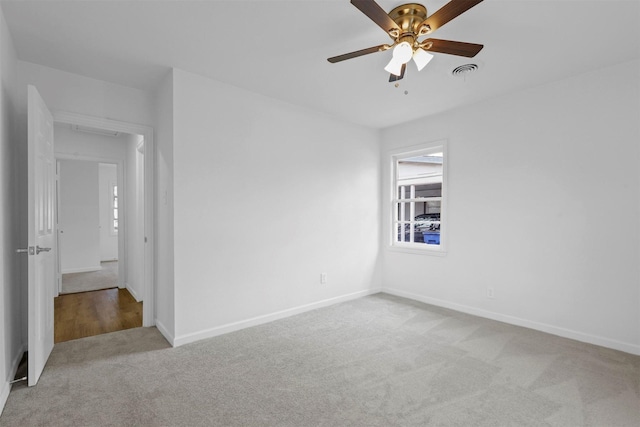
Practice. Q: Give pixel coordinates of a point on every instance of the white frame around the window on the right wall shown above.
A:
(413, 151)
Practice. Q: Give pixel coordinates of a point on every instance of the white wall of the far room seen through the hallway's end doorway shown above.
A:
(79, 216)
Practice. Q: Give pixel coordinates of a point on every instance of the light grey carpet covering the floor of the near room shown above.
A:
(375, 361)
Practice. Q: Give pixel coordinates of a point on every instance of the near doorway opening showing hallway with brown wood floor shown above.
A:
(99, 221)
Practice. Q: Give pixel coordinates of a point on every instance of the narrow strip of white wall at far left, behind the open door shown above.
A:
(10, 317)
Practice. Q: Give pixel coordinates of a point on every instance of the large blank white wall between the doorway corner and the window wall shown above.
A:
(254, 244)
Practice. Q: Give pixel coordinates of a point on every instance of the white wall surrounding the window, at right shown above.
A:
(544, 208)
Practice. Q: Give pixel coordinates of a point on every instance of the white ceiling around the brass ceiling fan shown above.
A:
(279, 48)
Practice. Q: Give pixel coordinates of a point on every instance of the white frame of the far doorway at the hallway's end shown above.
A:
(122, 235)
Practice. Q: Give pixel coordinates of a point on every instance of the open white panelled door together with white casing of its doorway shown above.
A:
(42, 216)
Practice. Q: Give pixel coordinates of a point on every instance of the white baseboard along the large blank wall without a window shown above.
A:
(259, 320)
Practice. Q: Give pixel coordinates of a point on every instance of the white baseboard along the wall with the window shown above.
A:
(543, 327)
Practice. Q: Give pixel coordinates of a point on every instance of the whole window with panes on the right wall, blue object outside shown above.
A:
(418, 200)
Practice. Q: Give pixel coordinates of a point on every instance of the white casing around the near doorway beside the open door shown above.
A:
(148, 293)
